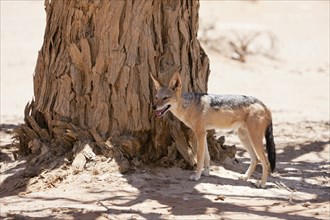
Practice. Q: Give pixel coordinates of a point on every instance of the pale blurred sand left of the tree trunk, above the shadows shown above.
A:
(22, 29)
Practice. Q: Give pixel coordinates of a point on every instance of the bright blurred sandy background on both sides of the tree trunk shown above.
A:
(275, 50)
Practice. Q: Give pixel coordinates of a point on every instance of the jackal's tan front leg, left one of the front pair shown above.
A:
(201, 143)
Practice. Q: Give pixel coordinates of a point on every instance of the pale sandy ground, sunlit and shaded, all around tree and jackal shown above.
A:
(295, 85)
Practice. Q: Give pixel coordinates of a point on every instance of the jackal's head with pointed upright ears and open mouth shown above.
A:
(167, 97)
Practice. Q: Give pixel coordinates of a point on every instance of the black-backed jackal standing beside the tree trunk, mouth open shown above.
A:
(202, 112)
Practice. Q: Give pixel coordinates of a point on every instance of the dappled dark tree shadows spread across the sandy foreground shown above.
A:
(190, 200)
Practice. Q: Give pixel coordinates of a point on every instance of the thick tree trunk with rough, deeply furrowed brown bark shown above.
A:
(92, 85)
